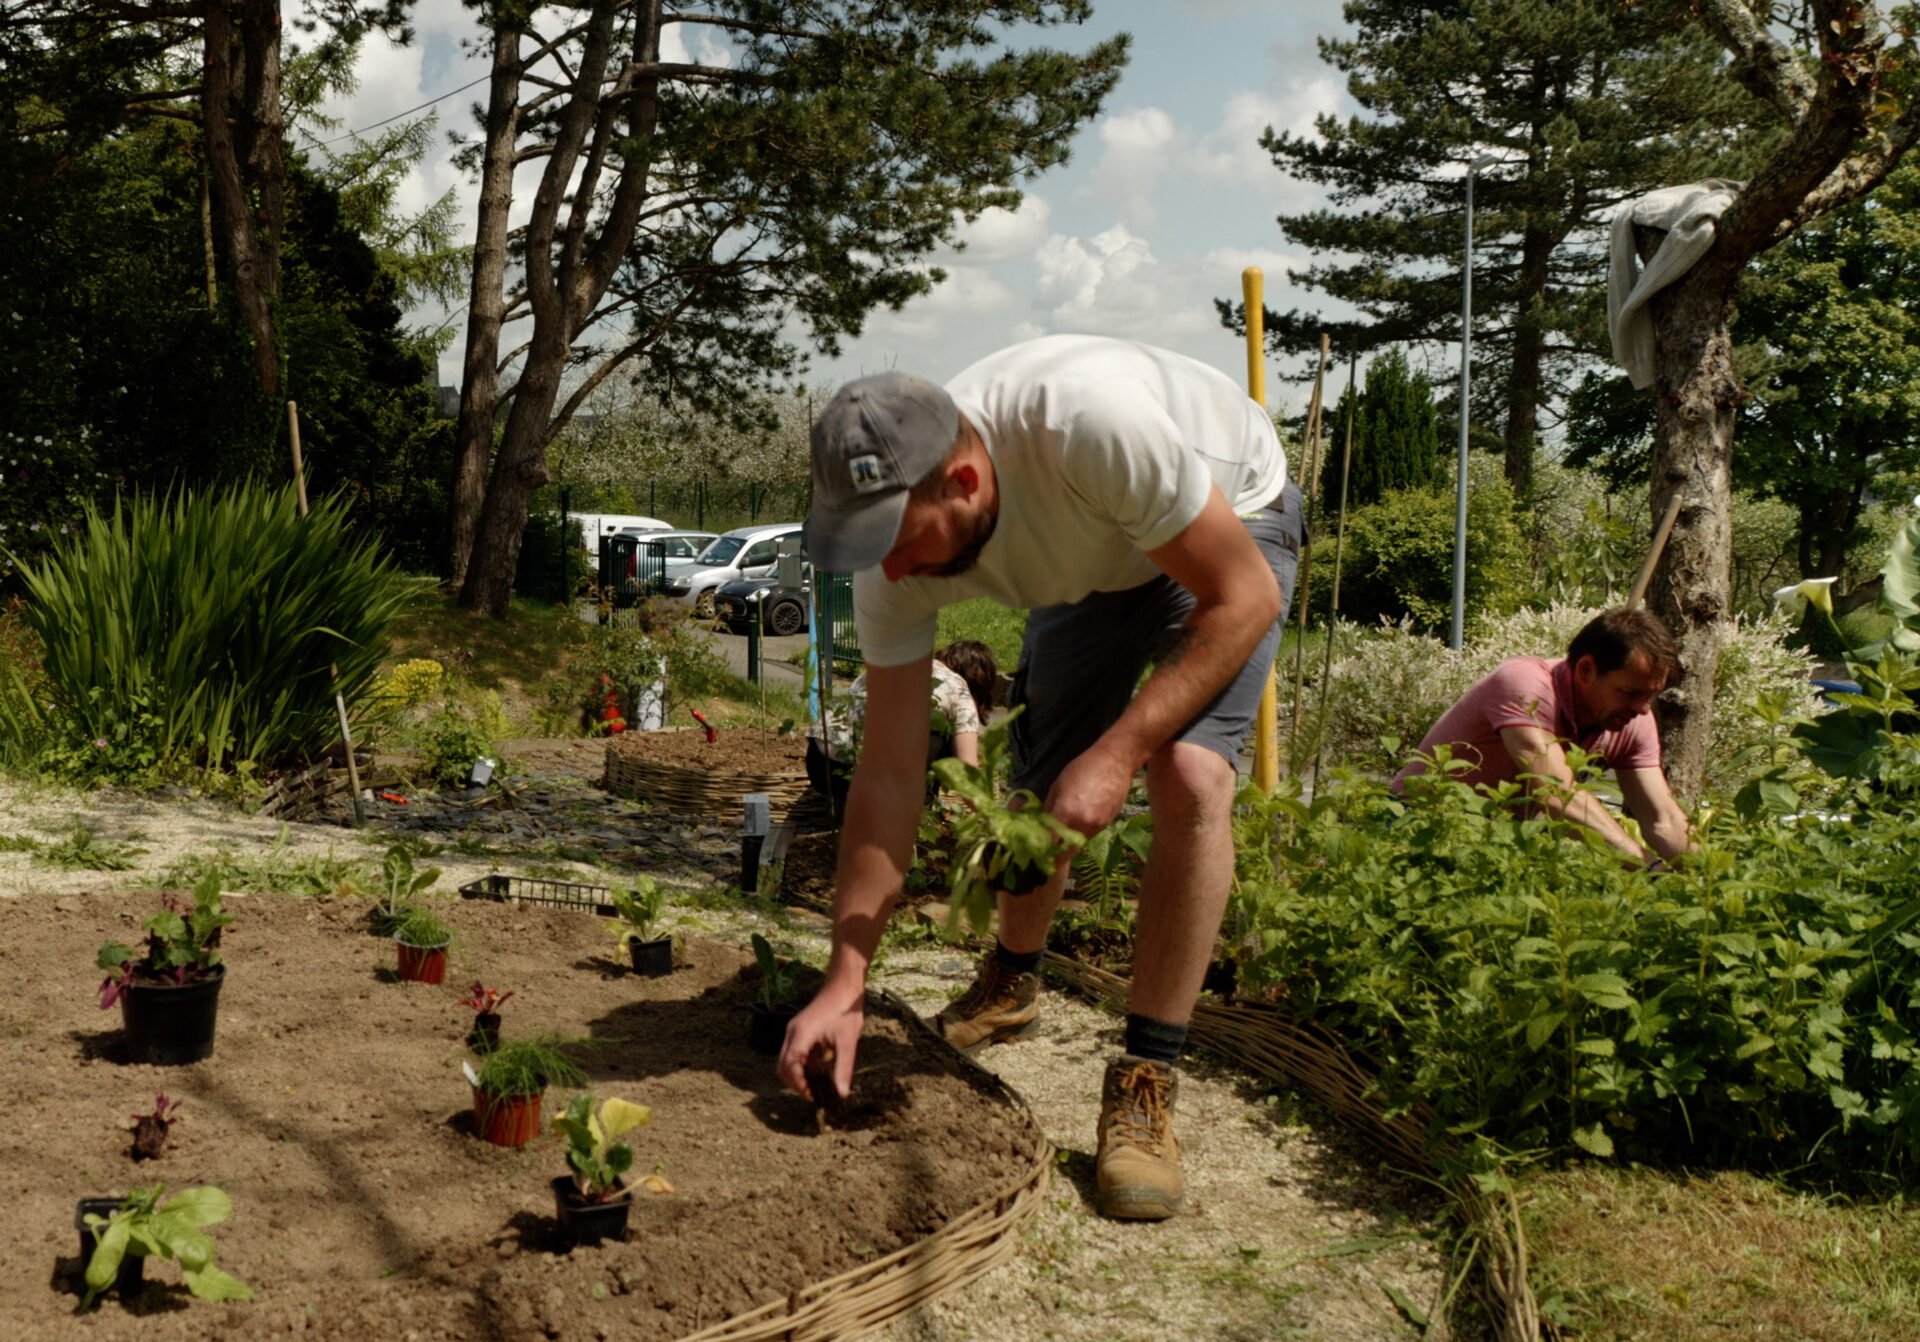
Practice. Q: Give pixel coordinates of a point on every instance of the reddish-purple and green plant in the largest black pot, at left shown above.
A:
(170, 994)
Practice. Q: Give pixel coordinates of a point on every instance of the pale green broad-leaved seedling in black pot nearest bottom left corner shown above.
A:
(120, 1235)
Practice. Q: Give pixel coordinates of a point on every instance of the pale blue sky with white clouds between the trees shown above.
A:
(1164, 203)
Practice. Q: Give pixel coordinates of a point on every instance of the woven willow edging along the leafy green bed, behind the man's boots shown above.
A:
(1318, 1063)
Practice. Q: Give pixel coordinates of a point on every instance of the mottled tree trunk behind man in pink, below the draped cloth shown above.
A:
(1692, 458)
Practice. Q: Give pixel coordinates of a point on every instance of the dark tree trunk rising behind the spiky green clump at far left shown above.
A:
(243, 95)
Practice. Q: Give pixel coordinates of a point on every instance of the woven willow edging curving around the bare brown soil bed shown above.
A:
(867, 1299)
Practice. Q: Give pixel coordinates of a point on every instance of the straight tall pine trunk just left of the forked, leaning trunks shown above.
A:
(487, 304)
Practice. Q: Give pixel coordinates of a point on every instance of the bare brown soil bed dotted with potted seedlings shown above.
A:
(337, 1118)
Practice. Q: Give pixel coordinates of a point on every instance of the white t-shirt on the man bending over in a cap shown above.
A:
(1103, 450)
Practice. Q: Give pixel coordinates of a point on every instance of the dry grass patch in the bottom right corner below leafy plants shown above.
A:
(1633, 1255)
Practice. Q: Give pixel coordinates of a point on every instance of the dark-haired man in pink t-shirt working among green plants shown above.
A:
(1518, 723)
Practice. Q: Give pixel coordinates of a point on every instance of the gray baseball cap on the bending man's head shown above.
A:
(875, 443)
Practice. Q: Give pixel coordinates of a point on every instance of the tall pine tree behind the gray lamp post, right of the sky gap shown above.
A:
(1583, 103)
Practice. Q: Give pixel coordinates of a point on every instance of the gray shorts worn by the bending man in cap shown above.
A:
(1080, 663)
